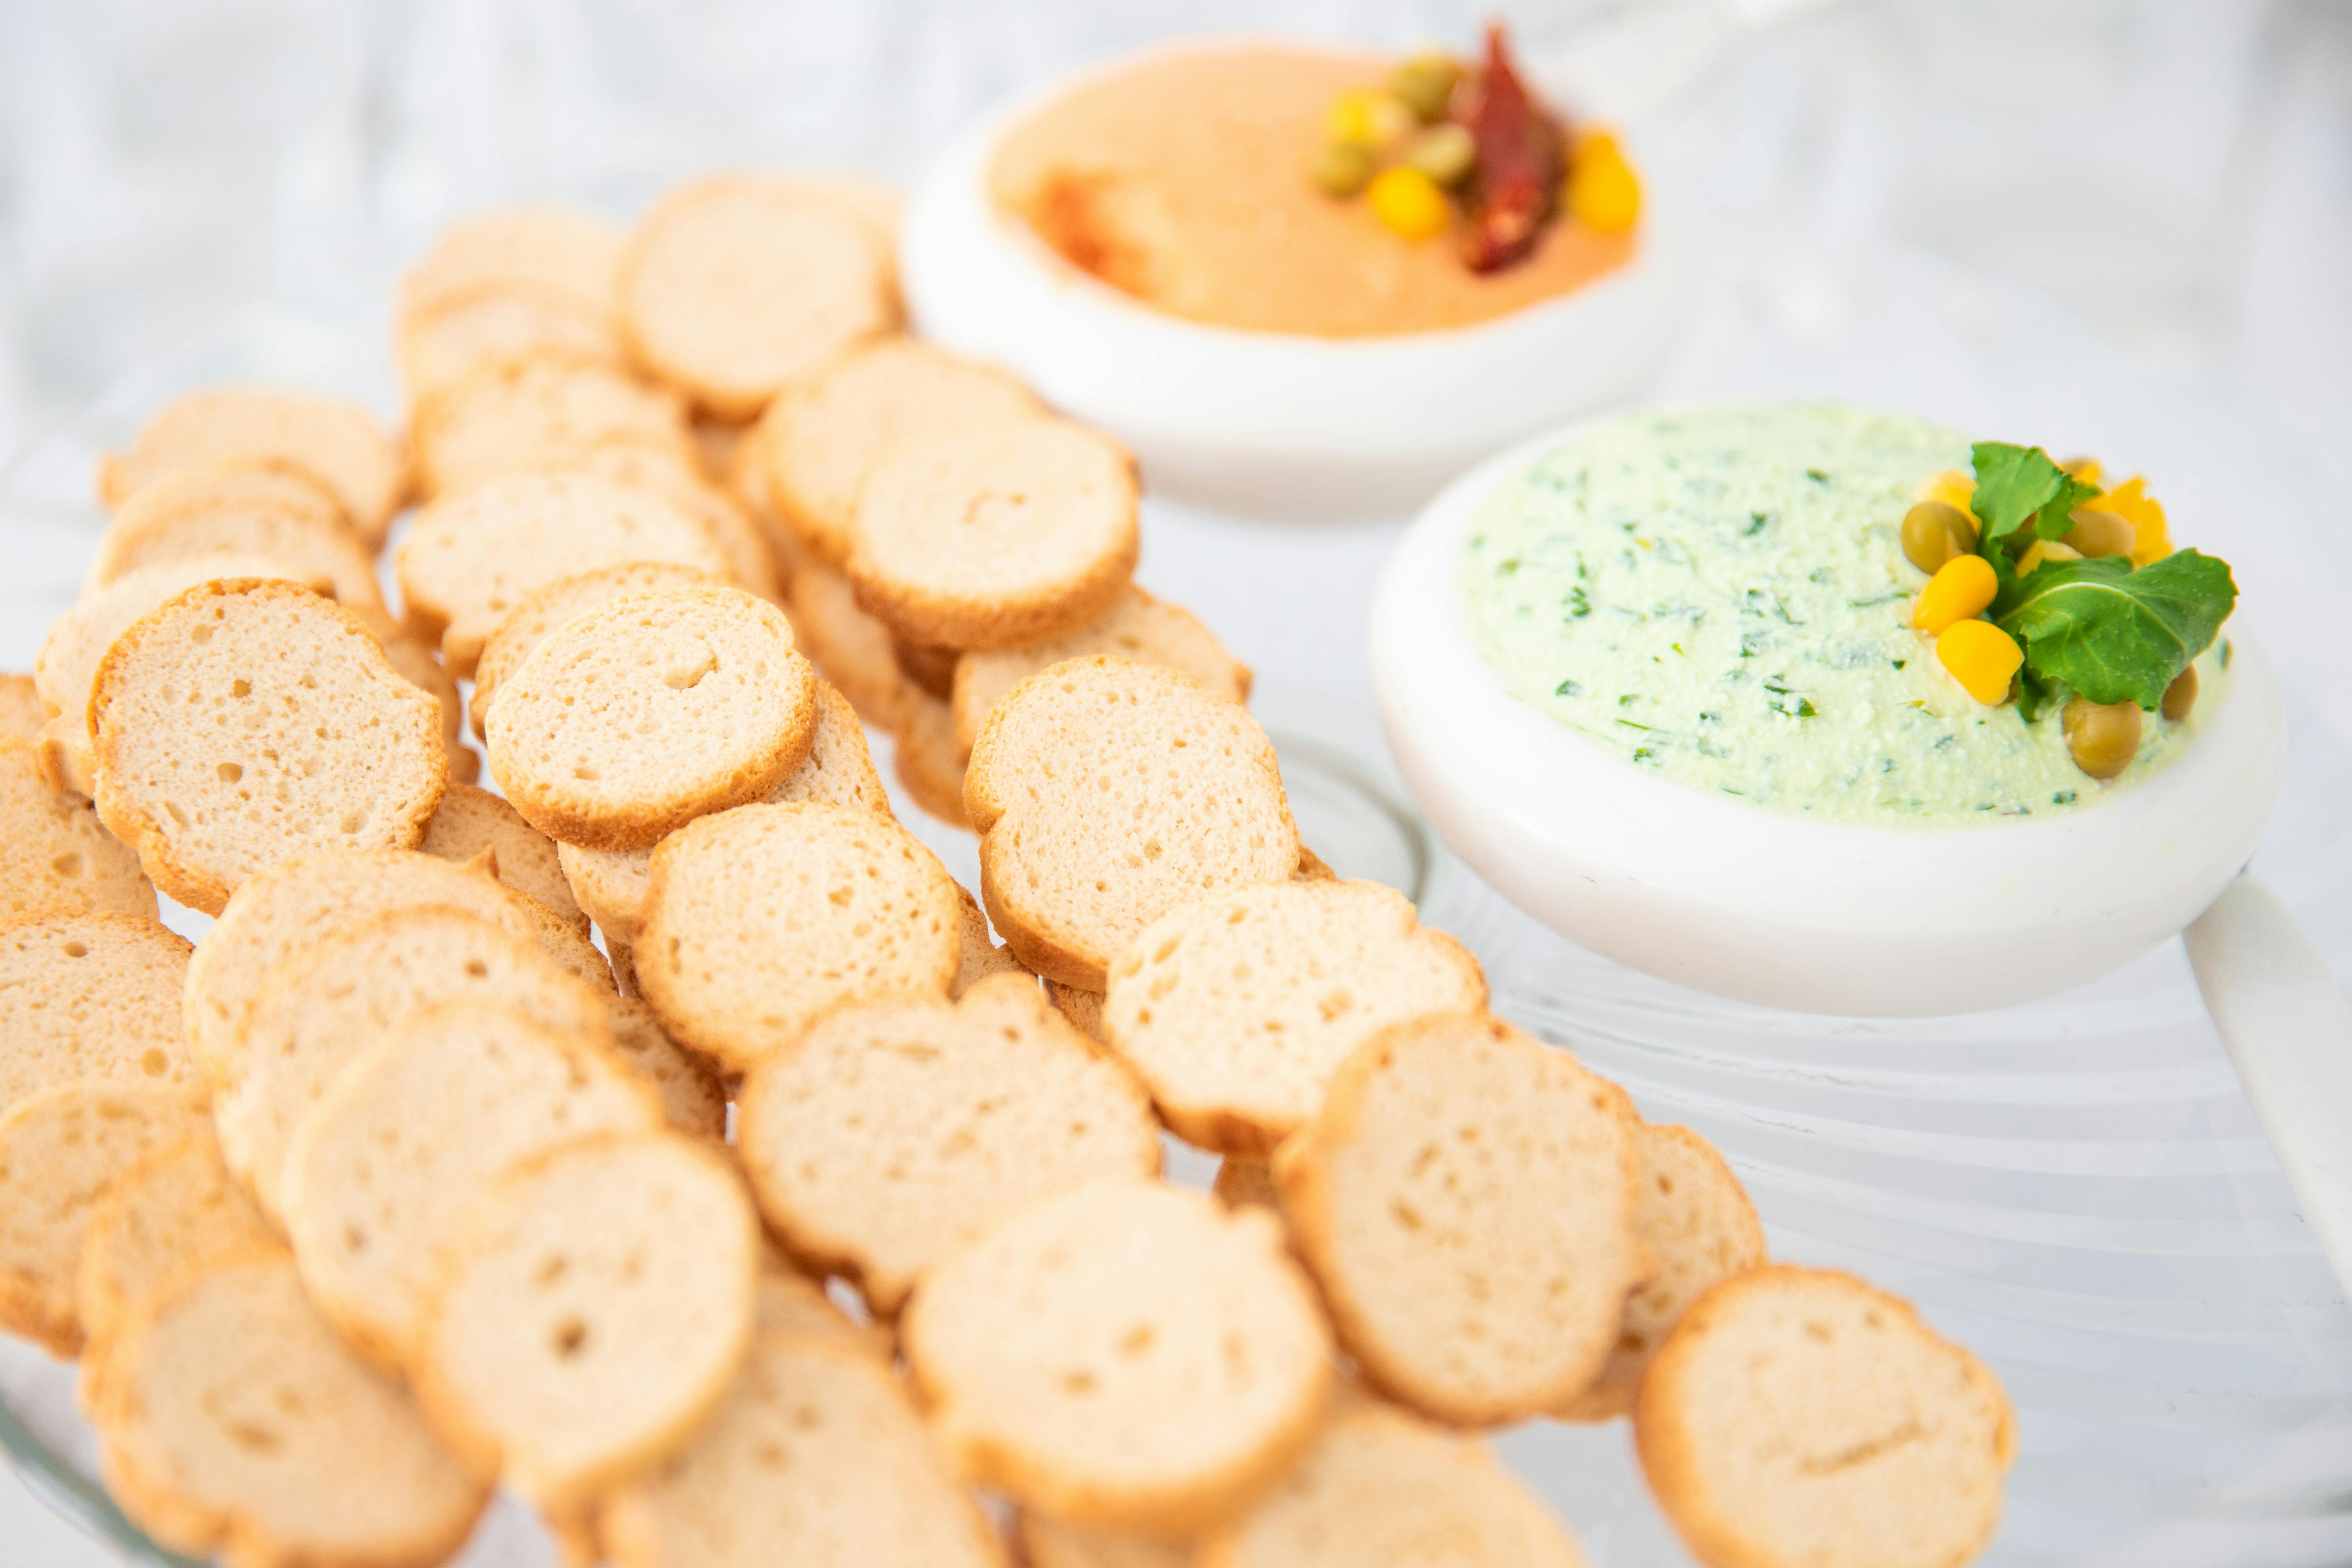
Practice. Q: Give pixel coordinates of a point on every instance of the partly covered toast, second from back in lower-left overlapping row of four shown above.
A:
(333, 1000)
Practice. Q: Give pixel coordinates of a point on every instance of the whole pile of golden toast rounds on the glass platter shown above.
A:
(664, 1137)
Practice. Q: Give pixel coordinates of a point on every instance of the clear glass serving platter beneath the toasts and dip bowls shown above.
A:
(2076, 1188)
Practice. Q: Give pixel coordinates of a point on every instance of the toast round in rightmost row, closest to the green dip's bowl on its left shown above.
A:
(1107, 793)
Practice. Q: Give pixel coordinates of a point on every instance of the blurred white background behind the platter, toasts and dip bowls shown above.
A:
(2170, 180)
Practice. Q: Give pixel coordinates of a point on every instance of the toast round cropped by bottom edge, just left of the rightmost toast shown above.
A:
(1382, 1489)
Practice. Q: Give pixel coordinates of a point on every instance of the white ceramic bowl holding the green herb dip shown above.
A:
(1772, 909)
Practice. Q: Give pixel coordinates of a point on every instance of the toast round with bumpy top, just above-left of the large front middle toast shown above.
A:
(895, 1130)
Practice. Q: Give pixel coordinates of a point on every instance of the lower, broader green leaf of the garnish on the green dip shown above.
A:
(2113, 634)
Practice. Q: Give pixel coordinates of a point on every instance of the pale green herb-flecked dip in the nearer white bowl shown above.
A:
(1720, 596)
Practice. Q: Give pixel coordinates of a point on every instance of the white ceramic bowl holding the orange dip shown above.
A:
(1264, 424)
